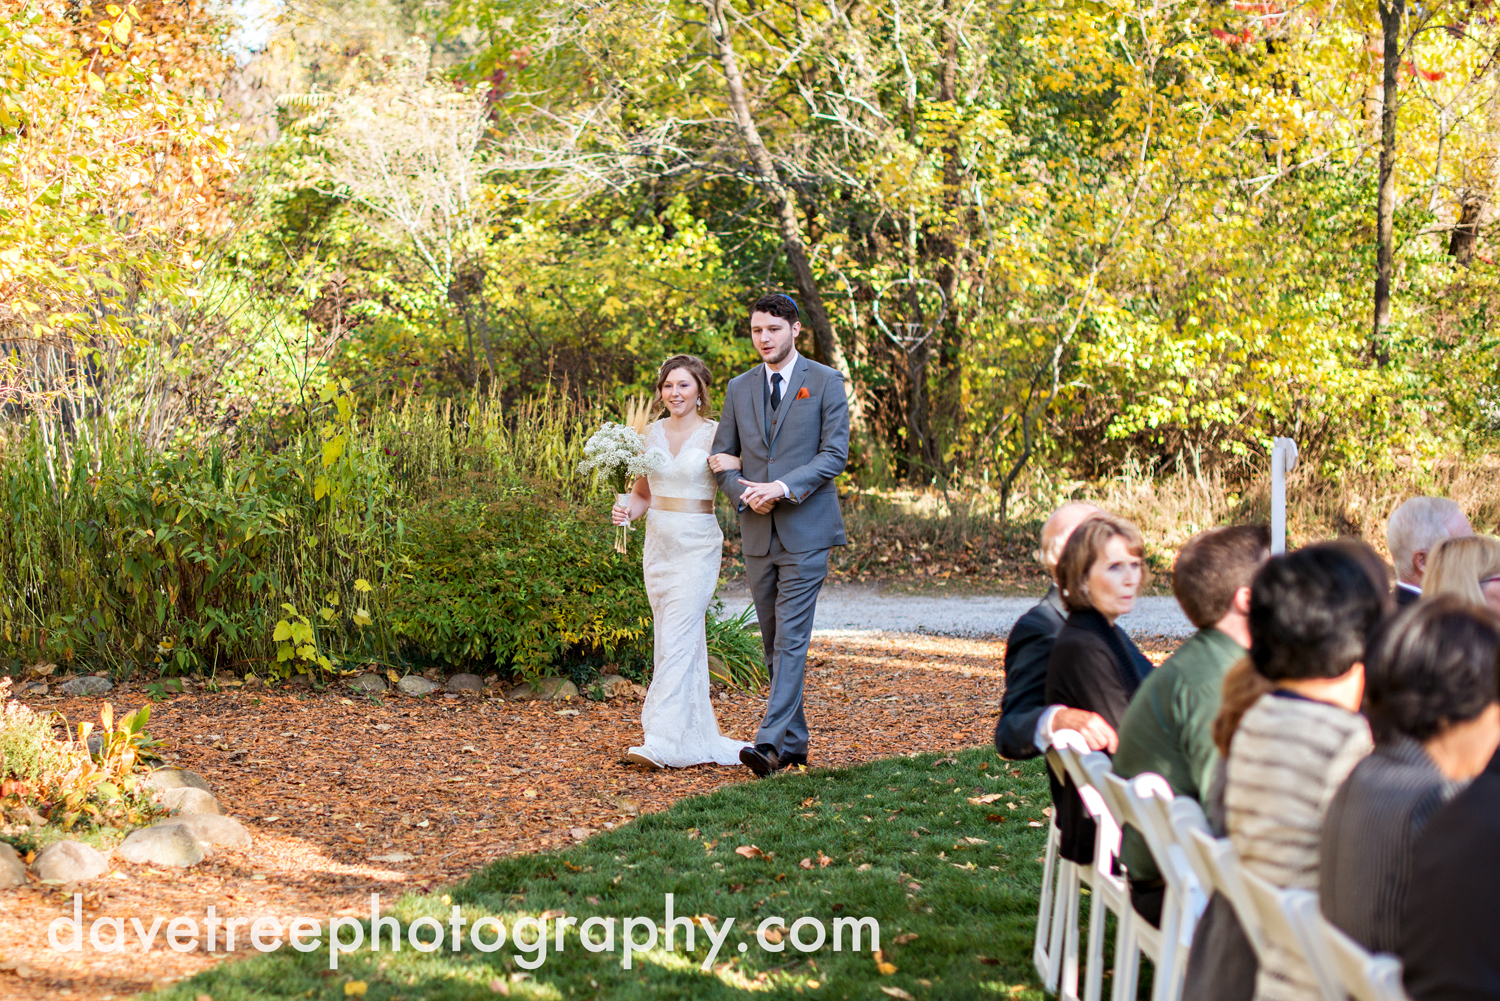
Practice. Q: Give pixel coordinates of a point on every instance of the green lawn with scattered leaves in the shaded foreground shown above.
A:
(953, 891)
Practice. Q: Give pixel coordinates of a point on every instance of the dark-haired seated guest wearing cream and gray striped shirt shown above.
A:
(1312, 616)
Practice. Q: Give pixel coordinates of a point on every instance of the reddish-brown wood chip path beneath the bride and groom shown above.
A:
(326, 783)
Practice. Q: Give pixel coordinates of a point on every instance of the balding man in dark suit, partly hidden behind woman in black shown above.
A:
(1027, 721)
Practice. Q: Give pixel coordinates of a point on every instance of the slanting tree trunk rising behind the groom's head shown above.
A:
(826, 344)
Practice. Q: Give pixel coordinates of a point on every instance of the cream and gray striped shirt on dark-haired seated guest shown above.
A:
(1286, 763)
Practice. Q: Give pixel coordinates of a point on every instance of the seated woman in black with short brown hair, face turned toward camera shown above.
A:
(1094, 666)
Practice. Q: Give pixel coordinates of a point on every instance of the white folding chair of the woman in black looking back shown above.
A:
(1108, 892)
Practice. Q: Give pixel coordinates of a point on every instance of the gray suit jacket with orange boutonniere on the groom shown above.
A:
(805, 445)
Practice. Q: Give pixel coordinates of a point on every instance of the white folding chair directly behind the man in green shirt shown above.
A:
(1142, 804)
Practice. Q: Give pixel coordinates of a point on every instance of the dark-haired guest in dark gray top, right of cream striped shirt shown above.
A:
(1430, 697)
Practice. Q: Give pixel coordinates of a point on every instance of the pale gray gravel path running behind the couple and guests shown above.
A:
(847, 610)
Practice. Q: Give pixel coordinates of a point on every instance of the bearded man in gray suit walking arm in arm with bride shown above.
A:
(788, 421)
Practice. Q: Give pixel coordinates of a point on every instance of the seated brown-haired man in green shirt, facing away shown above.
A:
(1169, 726)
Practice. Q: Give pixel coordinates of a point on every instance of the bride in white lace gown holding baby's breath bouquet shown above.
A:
(683, 552)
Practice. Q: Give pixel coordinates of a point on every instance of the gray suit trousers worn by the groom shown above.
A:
(785, 589)
